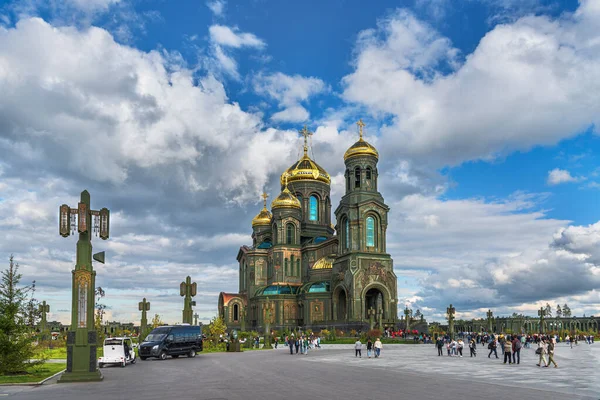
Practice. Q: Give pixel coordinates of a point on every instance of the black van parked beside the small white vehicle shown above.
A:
(172, 341)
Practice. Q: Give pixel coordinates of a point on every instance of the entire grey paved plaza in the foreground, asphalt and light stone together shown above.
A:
(407, 371)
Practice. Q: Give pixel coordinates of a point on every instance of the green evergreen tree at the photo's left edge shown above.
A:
(17, 342)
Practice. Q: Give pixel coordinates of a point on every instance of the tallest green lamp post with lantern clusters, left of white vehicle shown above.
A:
(82, 337)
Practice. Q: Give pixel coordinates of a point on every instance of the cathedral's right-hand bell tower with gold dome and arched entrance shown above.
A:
(365, 285)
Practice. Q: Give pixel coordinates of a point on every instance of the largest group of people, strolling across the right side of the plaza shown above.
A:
(509, 345)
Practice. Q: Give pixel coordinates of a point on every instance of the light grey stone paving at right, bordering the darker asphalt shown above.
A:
(578, 371)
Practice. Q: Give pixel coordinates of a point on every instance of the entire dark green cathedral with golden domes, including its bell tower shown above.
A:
(301, 271)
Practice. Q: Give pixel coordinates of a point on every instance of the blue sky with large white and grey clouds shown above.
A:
(176, 115)
